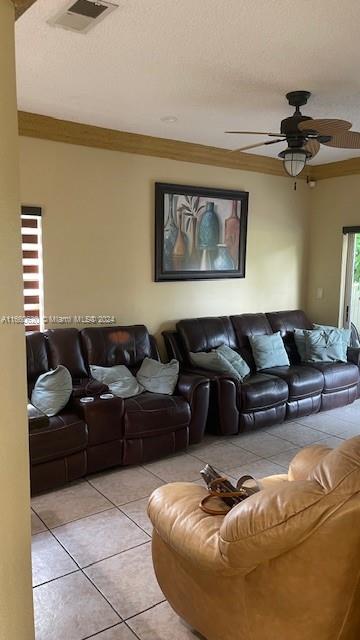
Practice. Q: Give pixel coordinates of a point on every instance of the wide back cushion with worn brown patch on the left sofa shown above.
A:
(109, 346)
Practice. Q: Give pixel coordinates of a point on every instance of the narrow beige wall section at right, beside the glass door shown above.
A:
(335, 203)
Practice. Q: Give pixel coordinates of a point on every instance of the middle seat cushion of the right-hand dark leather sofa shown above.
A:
(302, 381)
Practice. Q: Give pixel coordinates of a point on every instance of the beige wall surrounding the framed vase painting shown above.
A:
(98, 234)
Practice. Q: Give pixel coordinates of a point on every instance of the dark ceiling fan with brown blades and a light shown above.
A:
(304, 135)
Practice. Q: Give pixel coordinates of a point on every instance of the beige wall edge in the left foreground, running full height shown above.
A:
(16, 621)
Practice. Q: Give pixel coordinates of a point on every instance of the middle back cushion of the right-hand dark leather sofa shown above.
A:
(246, 325)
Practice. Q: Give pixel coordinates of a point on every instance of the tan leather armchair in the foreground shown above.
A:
(282, 565)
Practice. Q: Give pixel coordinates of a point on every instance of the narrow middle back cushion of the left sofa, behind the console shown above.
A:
(64, 348)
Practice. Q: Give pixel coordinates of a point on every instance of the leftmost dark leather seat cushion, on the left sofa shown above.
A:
(65, 434)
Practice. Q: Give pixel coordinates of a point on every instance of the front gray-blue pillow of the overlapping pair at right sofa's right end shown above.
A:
(325, 346)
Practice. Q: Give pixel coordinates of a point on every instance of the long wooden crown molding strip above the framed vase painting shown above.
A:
(46, 128)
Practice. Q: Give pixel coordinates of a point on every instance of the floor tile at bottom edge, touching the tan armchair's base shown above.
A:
(161, 623)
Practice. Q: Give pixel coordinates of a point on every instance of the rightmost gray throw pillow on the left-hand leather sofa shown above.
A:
(157, 377)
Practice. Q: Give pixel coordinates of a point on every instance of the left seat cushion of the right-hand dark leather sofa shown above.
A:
(261, 391)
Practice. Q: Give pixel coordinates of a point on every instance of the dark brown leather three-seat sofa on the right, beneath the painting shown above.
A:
(272, 395)
